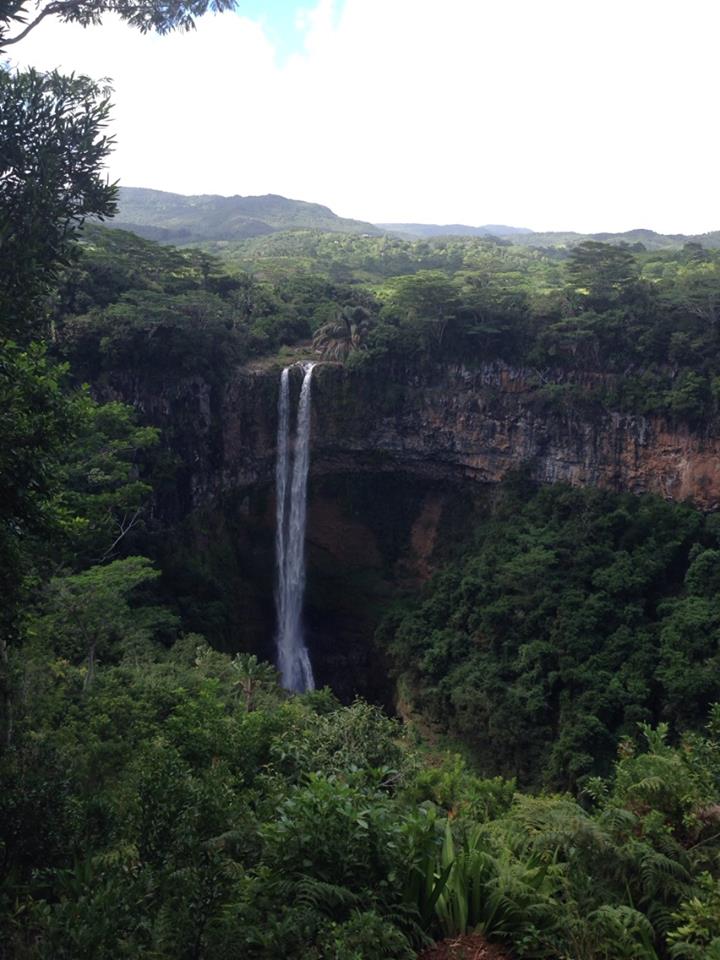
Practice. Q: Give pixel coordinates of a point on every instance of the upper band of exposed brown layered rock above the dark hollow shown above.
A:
(451, 422)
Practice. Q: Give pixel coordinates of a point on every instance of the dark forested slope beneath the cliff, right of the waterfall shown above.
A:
(574, 616)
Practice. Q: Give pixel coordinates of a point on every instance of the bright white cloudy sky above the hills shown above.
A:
(549, 114)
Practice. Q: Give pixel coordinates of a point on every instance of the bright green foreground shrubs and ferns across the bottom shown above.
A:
(184, 807)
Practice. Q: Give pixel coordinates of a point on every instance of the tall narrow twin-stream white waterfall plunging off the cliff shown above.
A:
(291, 509)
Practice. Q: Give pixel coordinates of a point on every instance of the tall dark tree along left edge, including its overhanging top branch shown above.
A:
(53, 147)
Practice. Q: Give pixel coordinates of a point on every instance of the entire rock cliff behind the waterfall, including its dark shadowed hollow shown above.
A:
(402, 460)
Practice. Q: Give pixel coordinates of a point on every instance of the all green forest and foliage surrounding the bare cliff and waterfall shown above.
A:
(552, 777)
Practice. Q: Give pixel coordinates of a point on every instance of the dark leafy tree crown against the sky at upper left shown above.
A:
(52, 148)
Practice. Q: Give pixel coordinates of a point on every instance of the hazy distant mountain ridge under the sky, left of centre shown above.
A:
(174, 218)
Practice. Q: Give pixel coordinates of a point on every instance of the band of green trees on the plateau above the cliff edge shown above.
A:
(645, 322)
